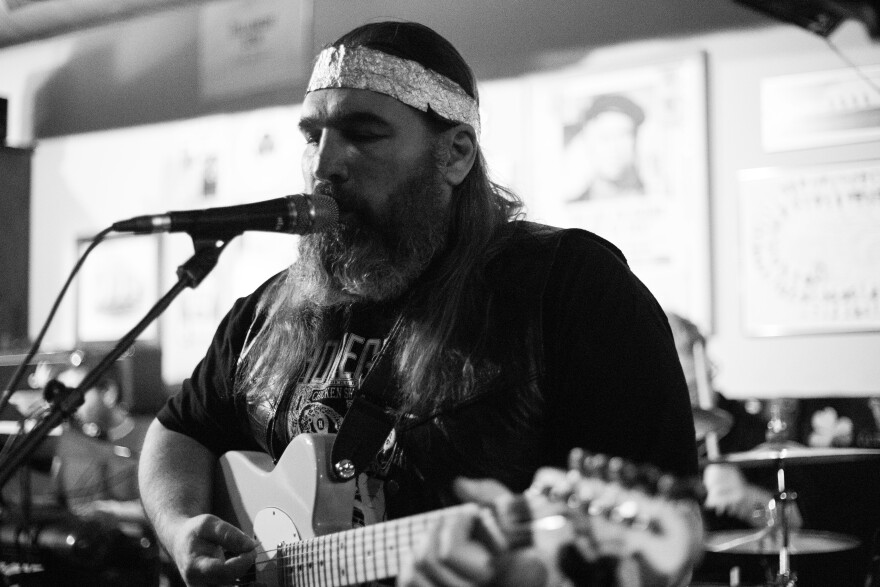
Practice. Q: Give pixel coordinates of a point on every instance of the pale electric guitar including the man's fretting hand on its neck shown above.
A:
(601, 523)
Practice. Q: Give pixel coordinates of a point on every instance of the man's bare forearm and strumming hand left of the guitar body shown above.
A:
(175, 478)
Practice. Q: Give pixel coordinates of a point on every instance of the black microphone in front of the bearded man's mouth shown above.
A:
(295, 214)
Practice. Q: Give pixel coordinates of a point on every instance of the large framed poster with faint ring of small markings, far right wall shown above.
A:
(810, 249)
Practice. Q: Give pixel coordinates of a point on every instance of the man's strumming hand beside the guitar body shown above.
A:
(209, 551)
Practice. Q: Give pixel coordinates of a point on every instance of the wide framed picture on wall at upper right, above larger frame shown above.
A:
(821, 108)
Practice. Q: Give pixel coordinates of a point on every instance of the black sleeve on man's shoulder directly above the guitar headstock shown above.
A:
(614, 382)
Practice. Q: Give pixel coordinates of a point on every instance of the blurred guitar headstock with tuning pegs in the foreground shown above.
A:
(624, 524)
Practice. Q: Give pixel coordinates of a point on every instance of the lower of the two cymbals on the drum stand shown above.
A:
(763, 542)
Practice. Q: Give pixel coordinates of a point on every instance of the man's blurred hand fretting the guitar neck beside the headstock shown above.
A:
(451, 555)
